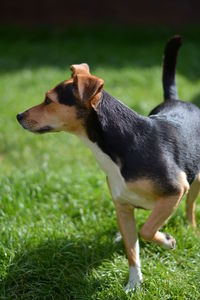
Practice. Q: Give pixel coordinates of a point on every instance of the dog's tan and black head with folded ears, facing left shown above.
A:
(66, 105)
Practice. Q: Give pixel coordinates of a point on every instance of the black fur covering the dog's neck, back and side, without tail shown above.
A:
(156, 147)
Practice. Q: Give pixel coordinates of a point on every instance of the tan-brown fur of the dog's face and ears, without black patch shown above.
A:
(57, 116)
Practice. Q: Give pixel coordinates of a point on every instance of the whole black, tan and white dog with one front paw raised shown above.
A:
(150, 162)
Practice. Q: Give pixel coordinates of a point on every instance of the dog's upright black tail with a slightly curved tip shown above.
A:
(169, 67)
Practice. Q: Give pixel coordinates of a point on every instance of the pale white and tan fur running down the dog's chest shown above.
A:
(119, 189)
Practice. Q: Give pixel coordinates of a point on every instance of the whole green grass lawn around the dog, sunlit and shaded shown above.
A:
(57, 220)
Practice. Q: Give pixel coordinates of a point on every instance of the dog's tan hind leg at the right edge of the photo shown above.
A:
(191, 201)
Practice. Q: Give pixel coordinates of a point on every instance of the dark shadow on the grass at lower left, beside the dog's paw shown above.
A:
(59, 268)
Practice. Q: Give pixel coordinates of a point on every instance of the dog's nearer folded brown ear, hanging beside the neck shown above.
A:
(89, 88)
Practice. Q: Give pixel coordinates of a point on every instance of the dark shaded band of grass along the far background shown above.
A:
(104, 46)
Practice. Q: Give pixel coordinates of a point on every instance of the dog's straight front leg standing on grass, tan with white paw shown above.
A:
(127, 227)
